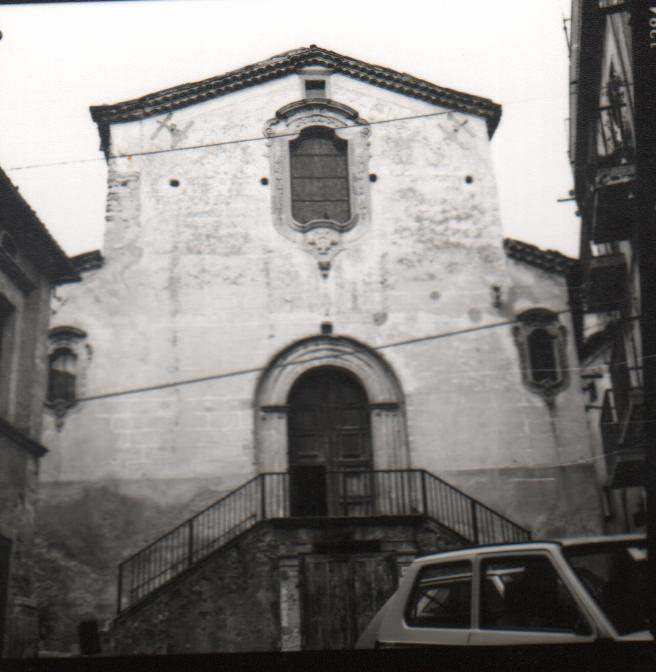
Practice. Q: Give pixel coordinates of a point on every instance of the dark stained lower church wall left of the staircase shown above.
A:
(83, 533)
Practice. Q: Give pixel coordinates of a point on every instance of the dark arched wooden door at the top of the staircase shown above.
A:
(329, 449)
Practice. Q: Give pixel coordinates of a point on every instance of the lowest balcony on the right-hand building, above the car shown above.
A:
(622, 442)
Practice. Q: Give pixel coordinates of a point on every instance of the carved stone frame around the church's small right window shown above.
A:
(530, 321)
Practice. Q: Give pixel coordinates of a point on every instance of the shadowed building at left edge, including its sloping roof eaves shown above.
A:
(31, 265)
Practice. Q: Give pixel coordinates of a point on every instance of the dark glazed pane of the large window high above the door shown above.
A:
(319, 176)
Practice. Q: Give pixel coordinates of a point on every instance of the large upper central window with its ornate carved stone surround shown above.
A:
(319, 161)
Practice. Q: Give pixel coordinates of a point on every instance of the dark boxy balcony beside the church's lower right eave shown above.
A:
(605, 283)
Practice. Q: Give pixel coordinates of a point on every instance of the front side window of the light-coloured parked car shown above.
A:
(526, 593)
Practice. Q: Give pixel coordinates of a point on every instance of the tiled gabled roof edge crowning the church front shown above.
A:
(288, 63)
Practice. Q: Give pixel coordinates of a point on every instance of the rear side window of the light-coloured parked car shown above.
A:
(441, 597)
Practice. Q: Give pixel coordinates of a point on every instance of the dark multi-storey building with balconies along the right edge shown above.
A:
(606, 290)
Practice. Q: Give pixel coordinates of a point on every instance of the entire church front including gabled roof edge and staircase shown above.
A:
(304, 286)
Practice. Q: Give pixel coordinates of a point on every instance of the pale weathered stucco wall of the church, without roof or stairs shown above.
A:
(202, 282)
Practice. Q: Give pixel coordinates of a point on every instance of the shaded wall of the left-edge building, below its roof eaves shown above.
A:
(23, 372)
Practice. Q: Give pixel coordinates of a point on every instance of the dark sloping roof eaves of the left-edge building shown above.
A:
(31, 236)
